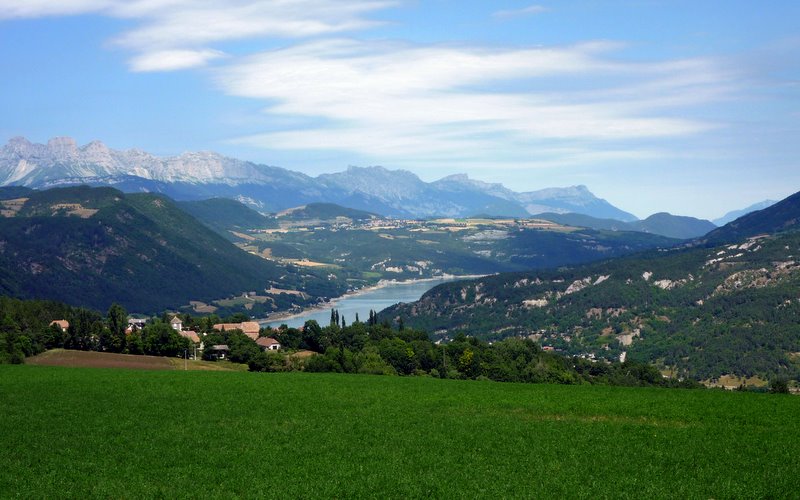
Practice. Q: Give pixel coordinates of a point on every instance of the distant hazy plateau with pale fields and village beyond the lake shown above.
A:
(429, 248)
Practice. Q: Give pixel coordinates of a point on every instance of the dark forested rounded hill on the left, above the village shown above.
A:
(95, 246)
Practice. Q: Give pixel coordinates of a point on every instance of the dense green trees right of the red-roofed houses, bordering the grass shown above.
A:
(379, 348)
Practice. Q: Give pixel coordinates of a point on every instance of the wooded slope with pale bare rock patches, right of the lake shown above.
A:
(699, 312)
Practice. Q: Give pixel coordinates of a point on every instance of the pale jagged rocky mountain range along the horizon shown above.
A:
(195, 176)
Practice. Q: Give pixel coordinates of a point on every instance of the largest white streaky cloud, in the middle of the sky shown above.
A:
(429, 104)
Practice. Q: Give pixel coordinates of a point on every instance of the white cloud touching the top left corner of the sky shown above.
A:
(178, 34)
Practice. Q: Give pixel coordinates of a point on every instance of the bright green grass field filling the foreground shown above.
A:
(130, 434)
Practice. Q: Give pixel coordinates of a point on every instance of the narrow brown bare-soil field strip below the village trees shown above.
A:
(91, 359)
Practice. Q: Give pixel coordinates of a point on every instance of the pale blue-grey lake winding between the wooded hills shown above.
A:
(376, 299)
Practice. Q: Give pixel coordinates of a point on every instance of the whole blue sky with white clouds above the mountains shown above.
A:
(680, 106)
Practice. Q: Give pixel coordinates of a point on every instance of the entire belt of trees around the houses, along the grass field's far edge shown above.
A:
(358, 347)
